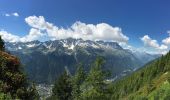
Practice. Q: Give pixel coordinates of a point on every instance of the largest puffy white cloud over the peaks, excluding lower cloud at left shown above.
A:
(101, 31)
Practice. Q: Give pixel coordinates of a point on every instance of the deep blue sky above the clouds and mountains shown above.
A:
(136, 18)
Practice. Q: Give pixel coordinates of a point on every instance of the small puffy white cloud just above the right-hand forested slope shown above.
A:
(148, 42)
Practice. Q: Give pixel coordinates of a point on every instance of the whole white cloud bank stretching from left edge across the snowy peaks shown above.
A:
(40, 29)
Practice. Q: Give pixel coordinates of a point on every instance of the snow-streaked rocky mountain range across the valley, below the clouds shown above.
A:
(45, 61)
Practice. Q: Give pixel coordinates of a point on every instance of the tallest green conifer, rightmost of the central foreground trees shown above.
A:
(94, 85)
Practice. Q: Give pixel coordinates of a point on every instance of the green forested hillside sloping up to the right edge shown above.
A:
(150, 82)
